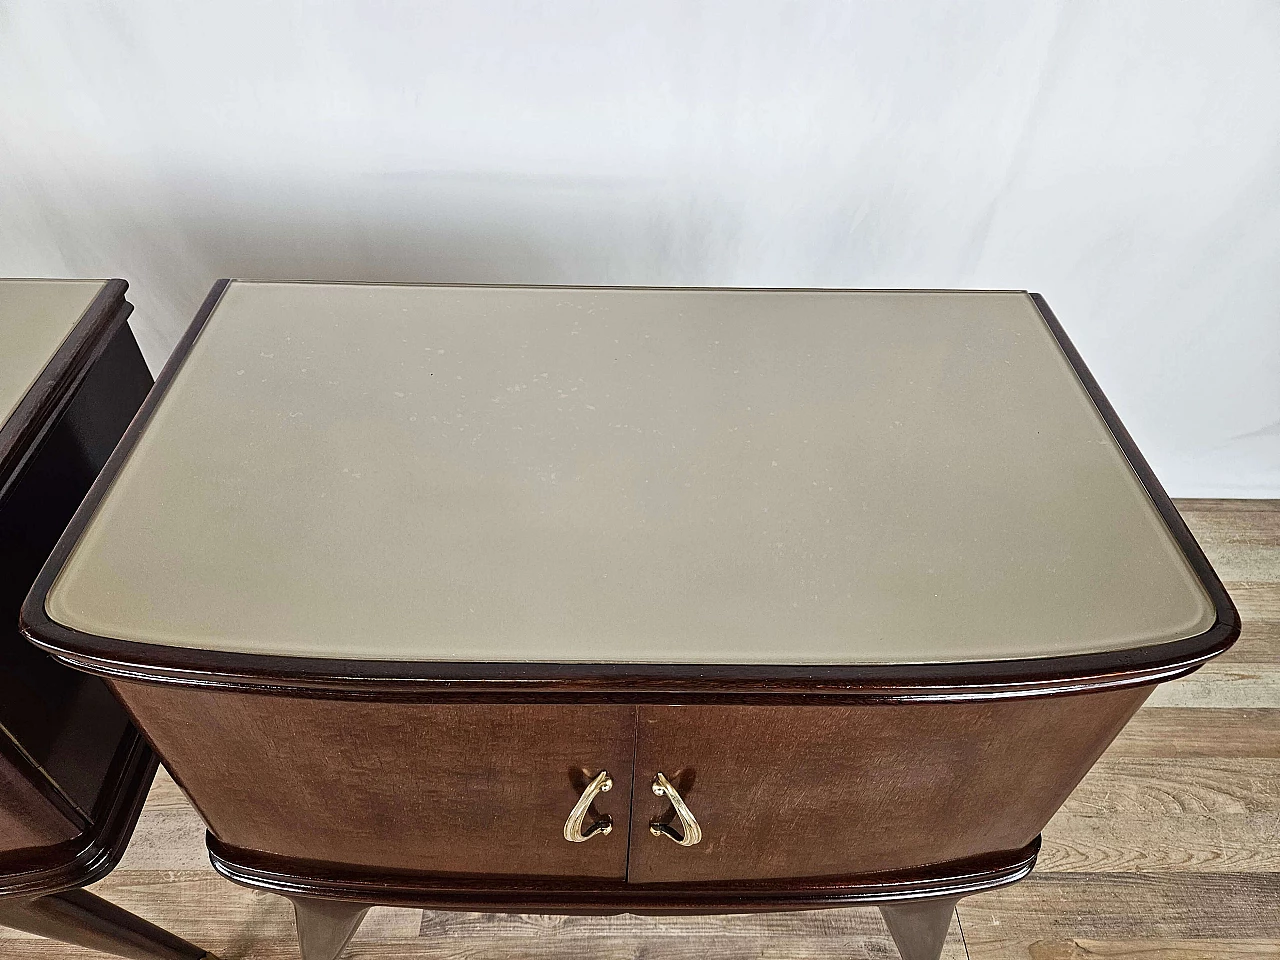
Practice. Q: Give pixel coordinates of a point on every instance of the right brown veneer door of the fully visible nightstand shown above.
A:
(811, 792)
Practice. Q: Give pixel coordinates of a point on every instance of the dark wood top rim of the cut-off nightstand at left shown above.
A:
(36, 414)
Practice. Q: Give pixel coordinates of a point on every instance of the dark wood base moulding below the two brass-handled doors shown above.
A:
(461, 893)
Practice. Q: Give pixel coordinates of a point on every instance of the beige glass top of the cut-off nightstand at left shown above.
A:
(35, 319)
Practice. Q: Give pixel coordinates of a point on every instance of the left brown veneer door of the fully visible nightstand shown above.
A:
(441, 789)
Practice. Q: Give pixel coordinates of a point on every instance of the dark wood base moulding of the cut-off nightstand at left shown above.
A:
(95, 853)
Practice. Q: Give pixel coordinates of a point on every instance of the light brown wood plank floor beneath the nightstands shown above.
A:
(1171, 848)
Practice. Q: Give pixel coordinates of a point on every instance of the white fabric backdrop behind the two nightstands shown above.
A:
(1123, 159)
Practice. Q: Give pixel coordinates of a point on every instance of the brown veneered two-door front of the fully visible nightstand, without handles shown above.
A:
(484, 789)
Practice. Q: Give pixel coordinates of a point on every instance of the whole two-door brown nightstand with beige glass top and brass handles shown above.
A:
(582, 600)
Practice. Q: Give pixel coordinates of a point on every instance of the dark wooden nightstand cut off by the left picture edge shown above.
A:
(74, 771)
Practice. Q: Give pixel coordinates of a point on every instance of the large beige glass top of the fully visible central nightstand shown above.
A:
(628, 476)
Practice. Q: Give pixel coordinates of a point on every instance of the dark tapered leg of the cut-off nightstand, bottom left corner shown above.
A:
(79, 917)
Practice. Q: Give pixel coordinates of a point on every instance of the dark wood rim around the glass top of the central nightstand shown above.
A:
(296, 676)
